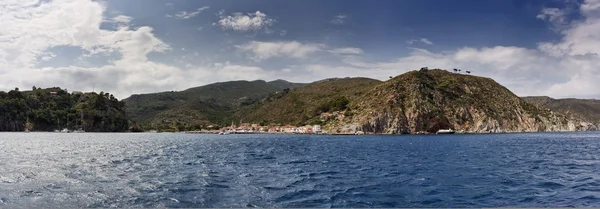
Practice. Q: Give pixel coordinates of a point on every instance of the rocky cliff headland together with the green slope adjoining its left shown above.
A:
(414, 102)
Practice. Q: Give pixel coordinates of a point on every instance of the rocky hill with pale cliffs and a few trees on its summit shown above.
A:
(429, 100)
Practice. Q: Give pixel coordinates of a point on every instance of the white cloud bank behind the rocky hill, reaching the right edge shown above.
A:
(569, 67)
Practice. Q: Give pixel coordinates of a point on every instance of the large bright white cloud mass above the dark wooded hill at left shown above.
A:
(29, 30)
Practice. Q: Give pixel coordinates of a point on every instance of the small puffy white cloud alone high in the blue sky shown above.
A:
(245, 22)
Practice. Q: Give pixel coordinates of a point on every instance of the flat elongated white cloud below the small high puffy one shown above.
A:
(266, 50)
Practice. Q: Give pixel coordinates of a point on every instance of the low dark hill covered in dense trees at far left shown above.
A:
(55, 109)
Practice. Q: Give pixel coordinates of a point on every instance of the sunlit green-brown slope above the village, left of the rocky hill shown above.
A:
(304, 105)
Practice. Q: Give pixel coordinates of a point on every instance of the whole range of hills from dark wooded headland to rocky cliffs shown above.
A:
(414, 102)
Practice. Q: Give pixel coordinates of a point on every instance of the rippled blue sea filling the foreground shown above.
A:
(185, 170)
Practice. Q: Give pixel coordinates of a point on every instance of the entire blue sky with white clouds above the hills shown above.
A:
(125, 47)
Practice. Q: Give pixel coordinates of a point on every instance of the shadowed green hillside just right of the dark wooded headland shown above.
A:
(198, 107)
